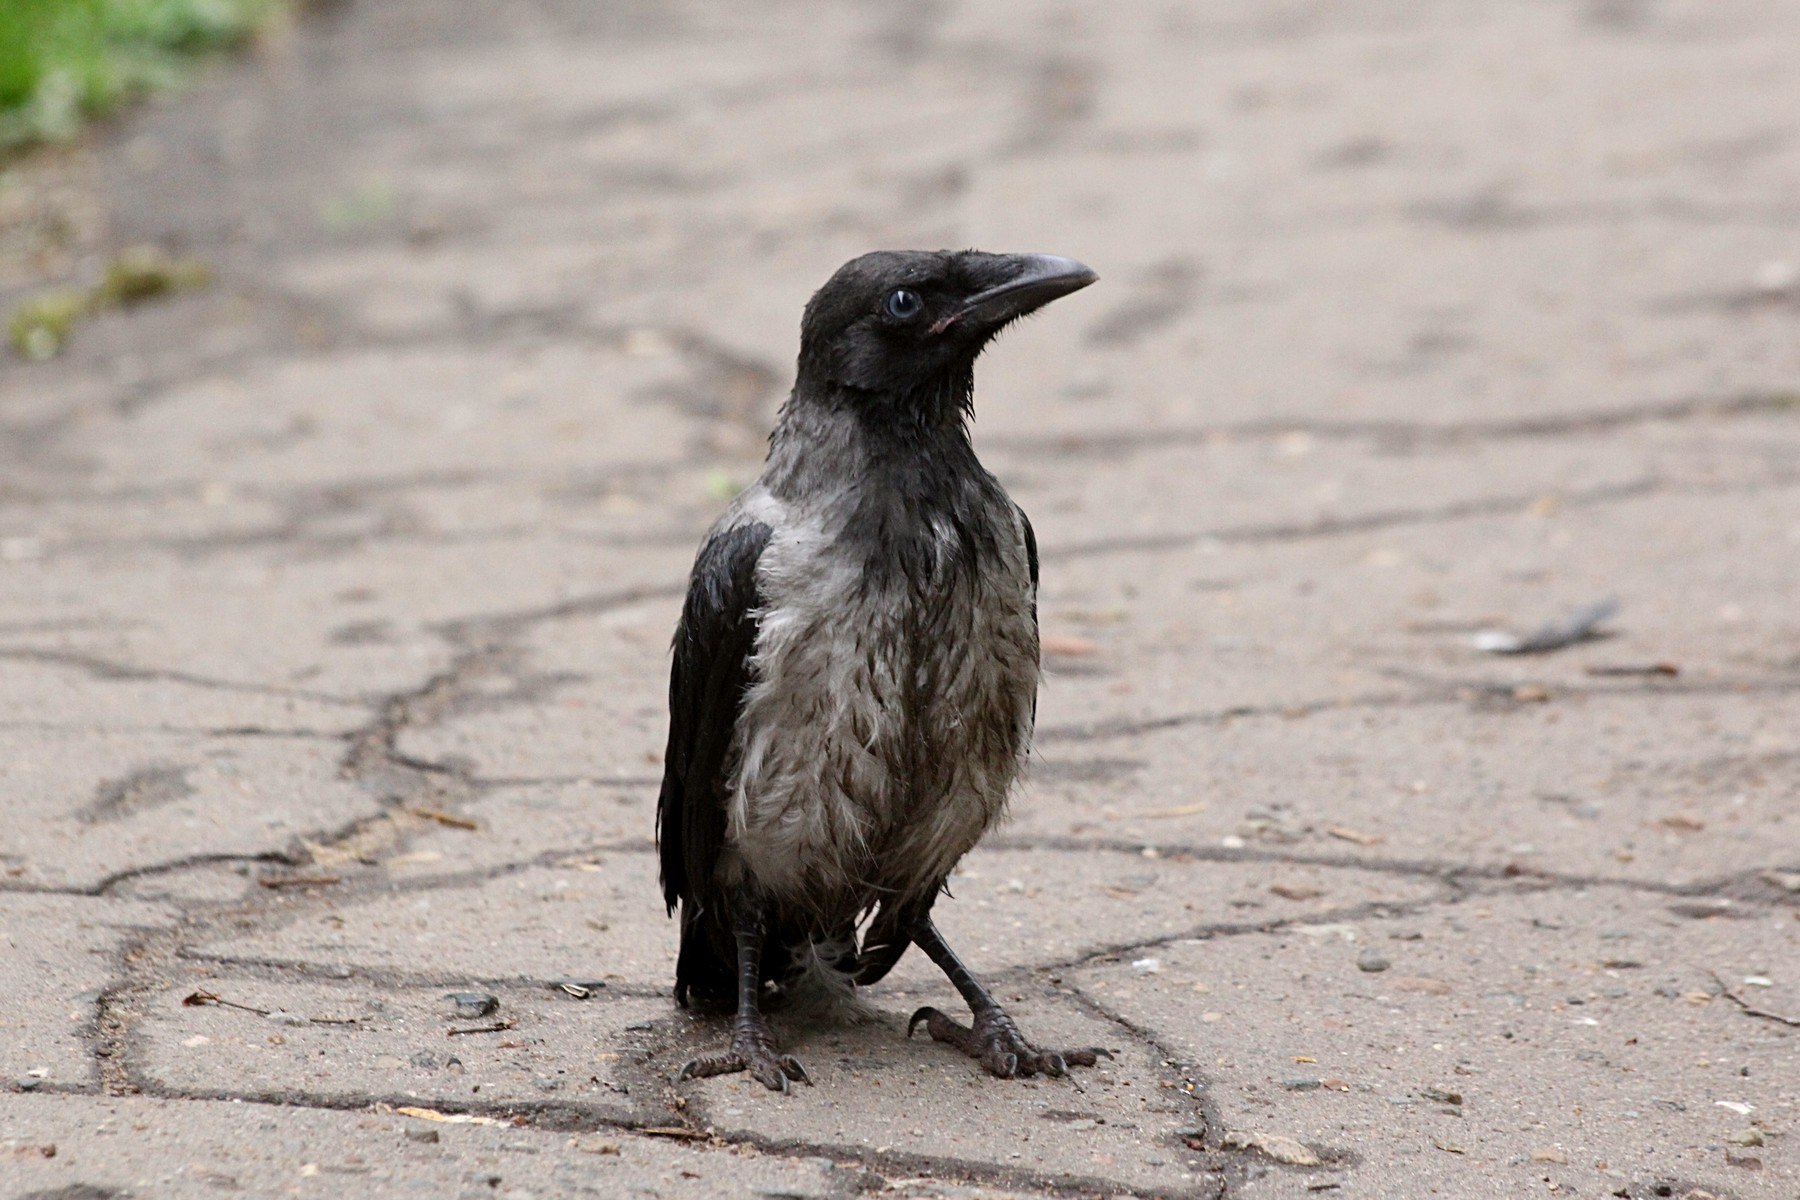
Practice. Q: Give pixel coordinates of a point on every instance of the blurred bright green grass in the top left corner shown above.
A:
(66, 62)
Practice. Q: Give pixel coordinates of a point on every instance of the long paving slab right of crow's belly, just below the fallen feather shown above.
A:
(1574, 787)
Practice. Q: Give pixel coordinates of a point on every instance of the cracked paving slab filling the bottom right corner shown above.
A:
(1574, 1037)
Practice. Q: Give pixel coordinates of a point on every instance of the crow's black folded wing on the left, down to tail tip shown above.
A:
(712, 672)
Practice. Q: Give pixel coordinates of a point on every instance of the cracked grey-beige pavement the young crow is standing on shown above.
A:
(334, 600)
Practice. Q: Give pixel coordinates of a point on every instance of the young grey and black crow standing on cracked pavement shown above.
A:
(856, 667)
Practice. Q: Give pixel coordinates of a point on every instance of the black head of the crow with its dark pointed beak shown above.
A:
(904, 327)
